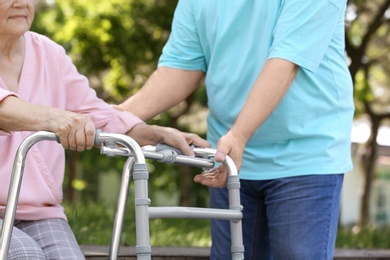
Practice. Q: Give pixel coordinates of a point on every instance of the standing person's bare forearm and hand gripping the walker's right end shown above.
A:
(267, 92)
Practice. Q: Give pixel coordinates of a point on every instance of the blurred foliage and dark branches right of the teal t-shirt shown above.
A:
(368, 46)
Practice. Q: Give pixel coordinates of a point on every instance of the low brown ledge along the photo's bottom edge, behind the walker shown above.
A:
(202, 253)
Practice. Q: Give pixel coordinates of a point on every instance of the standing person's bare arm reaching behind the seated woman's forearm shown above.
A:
(165, 88)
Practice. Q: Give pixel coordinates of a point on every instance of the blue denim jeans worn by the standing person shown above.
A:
(289, 218)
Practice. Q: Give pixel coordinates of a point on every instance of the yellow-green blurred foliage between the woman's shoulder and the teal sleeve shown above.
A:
(115, 43)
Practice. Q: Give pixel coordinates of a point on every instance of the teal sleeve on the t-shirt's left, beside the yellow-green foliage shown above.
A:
(183, 49)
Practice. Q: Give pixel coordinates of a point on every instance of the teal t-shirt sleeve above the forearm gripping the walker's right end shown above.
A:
(304, 31)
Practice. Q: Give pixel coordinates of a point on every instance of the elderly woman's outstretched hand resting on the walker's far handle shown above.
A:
(145, 134)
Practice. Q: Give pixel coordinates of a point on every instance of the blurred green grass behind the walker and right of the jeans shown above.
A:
(92, 224)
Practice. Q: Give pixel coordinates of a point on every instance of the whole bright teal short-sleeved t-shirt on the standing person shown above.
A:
(309, 131)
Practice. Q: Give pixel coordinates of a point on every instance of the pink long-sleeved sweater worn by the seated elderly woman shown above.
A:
(49, 78)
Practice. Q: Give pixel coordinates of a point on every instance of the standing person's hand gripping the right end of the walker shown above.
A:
(227, 145)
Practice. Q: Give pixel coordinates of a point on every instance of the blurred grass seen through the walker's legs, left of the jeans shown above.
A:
(92, 224)
